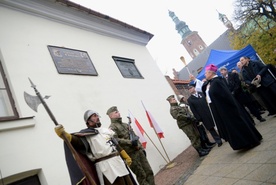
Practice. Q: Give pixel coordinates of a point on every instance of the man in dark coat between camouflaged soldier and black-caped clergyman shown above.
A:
(202, 113)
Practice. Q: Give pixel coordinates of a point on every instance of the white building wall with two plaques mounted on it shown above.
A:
(31, 144)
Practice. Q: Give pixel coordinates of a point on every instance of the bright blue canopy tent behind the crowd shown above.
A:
(227, 58)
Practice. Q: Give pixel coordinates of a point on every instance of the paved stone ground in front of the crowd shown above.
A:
(226, 166)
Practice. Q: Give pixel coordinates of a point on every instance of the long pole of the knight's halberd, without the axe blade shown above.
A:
(73, 151)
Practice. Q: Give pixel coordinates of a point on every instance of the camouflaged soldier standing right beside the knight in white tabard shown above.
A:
(130, 143)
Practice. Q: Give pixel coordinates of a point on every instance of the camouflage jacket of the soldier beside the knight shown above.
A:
(122, 134)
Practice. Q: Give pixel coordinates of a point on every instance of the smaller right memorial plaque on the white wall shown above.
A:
(127, 67)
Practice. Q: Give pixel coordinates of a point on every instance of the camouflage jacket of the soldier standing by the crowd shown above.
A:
(182, 115)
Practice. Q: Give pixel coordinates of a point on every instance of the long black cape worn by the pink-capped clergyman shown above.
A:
(233, 123)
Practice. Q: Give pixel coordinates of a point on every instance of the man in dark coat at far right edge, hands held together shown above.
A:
(257, 74)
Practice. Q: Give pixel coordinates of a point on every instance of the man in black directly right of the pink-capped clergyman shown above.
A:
(233, 82)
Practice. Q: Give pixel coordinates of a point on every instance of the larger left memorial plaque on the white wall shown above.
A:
(71, 61)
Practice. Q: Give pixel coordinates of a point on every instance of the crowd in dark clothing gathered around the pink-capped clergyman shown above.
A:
(225, 105)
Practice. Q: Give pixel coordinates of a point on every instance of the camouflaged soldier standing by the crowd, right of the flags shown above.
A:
(185, 122)
